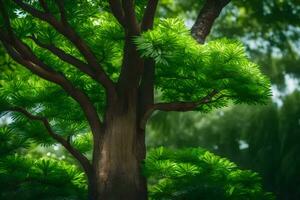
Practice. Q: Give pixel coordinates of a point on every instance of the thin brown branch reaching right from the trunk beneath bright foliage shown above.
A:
(176, 106)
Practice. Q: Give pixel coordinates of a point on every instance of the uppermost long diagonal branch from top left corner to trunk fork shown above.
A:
(70, 34)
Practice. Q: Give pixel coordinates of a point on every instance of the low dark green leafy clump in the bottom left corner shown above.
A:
(27, 178)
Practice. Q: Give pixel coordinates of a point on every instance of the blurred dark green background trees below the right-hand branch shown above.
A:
(262, 138)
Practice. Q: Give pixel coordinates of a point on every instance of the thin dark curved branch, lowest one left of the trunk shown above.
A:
(78, 156)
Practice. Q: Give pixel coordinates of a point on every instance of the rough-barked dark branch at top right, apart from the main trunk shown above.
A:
(206, 18)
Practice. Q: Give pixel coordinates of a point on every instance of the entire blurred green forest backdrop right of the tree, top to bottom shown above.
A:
(263, 138)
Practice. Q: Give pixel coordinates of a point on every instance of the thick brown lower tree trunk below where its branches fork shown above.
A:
(118, 160)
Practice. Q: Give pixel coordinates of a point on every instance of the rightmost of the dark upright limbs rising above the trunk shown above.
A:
(149, 14)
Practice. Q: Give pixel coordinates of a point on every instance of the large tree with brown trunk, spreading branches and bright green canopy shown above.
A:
(94, 66)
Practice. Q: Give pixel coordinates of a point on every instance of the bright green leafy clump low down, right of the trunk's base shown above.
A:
(198, 174)
